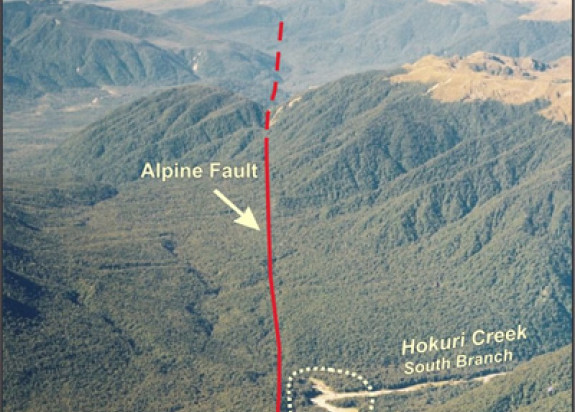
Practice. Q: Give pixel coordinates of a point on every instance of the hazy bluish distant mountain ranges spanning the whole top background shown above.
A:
(50, 45)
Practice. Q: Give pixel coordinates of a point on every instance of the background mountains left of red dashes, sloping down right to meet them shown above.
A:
(50, 46)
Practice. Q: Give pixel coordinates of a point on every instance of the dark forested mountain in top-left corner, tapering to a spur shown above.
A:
(52, 45)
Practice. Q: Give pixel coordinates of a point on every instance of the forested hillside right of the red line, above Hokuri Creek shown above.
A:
(442, 196)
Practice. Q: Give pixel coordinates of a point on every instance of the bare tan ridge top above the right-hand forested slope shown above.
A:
(483, 76)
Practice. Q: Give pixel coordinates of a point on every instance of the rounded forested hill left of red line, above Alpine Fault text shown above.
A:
(192, 124)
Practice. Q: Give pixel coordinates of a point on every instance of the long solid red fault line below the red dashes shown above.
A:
(271, 277)
